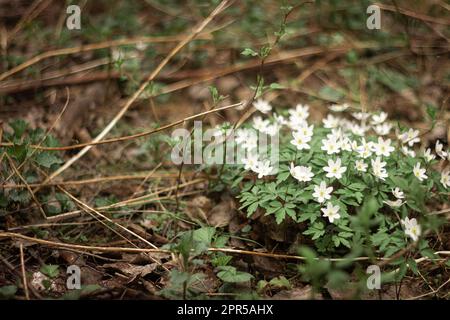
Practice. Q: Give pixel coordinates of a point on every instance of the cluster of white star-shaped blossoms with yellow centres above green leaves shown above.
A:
(367, 137)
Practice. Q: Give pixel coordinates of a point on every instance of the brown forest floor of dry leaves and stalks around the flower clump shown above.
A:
(114, 205)
